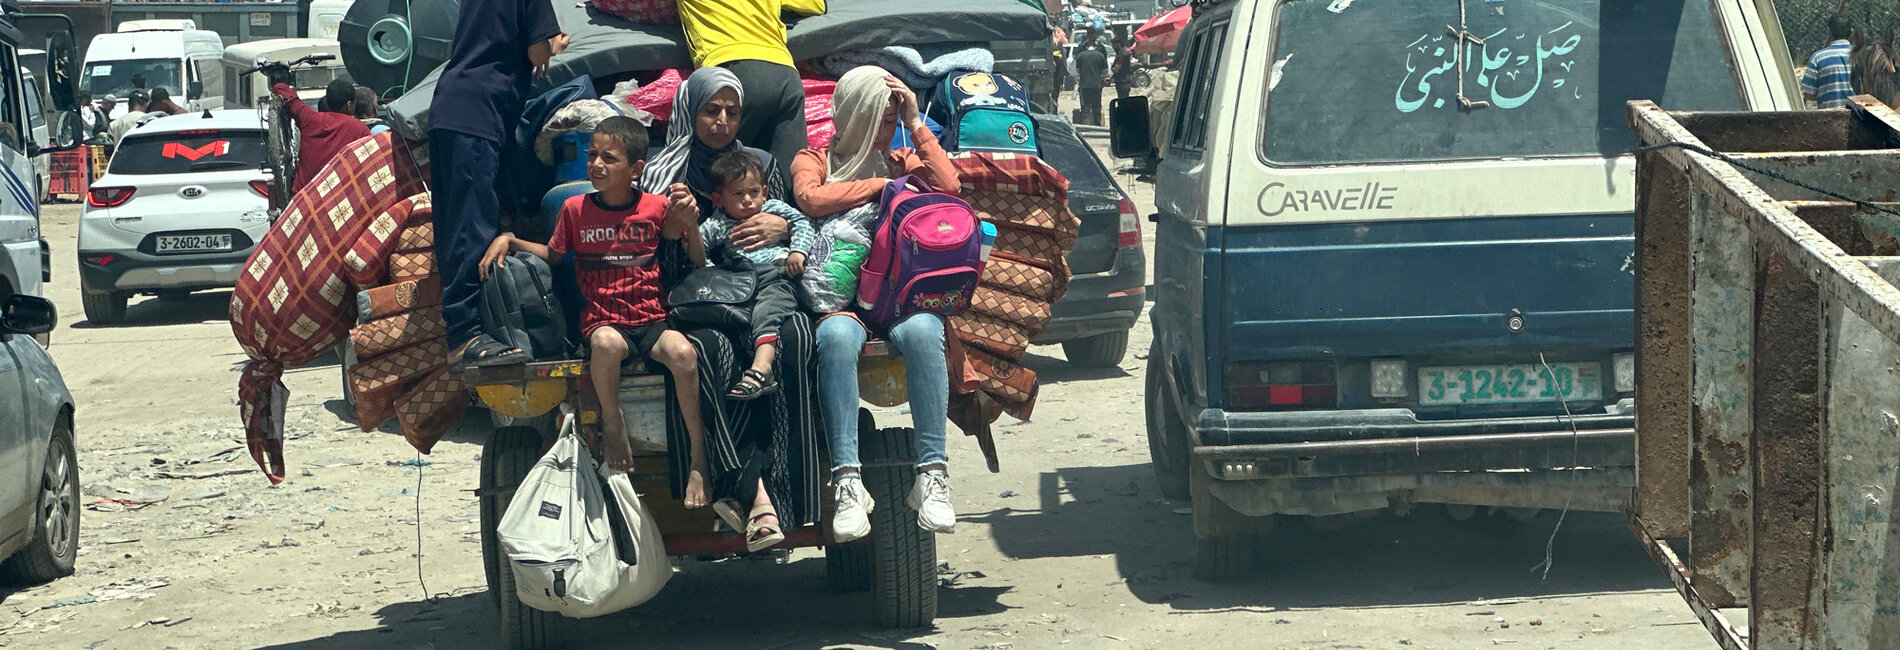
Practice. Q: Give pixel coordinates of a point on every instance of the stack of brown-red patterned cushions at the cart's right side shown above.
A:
(1027, 275)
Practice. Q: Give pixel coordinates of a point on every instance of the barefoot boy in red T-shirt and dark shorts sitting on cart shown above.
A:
(615, 237)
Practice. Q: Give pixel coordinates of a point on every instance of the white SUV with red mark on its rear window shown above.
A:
(180, 208)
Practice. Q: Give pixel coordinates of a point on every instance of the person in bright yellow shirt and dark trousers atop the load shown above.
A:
(748, 37)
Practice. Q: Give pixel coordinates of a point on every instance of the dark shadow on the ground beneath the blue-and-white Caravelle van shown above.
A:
(1386, 562)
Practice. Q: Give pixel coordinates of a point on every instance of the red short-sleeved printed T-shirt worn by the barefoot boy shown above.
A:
(615, 258)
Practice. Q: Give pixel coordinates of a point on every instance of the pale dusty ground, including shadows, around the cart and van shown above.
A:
(1069, 546)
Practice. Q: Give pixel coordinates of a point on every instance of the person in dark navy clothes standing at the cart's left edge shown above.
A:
(497, 52)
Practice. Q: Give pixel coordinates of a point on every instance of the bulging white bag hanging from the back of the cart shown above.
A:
(560, 539)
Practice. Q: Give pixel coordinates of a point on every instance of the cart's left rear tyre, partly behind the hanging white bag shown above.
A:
(504, 463)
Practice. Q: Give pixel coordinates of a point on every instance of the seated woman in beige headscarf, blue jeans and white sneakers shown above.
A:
(867, 107)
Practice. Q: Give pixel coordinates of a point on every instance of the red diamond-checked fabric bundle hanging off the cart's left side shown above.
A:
(294, 297)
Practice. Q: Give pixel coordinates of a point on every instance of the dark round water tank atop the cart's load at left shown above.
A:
(392, 45)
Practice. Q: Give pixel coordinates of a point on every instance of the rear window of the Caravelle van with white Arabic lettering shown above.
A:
(1378, 81)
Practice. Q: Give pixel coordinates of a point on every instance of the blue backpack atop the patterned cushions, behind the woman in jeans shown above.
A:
(987, 113)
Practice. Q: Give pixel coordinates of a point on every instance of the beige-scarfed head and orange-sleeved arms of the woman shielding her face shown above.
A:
(852, 172)
